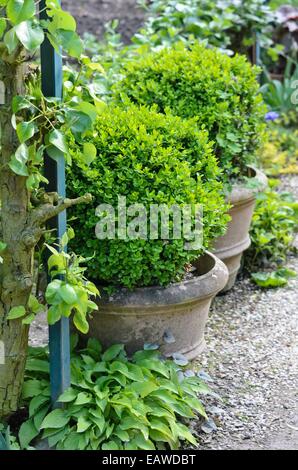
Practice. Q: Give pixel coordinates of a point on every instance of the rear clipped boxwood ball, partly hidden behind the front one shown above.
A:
(222, 92)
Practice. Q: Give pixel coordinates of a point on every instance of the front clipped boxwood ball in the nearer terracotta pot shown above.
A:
(149, 158)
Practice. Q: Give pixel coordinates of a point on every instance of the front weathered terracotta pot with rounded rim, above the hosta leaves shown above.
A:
(146, 315)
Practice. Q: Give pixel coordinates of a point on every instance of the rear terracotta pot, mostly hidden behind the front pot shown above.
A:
(231, 246)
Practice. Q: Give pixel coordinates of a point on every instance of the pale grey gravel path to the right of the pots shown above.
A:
(252, 358)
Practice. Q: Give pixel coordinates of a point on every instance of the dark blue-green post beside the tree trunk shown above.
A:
(59, 345)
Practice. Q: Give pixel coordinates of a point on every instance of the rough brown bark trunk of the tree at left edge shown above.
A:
(16, 271)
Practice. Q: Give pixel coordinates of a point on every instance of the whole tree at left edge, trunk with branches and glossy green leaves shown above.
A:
(30, 126)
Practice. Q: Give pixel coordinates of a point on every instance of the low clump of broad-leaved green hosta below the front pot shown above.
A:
(113, 403)
